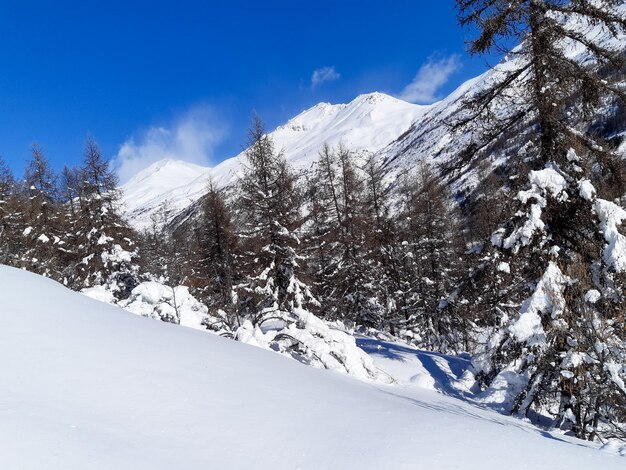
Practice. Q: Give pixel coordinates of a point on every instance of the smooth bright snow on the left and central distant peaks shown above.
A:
(368, 123)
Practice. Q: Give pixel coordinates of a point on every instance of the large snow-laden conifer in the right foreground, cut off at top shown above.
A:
(551, 335)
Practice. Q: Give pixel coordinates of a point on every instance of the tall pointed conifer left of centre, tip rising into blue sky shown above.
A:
(268, 211)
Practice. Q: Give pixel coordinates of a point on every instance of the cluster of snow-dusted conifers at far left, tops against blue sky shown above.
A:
(68, 226)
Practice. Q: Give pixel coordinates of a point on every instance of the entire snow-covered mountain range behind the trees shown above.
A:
(402, 134)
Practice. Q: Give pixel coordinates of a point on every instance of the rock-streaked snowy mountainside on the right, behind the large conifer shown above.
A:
(429, 137)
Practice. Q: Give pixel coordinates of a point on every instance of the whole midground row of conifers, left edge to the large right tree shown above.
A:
(344, 240)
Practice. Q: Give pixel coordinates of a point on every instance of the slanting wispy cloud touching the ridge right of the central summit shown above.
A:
(429, 79)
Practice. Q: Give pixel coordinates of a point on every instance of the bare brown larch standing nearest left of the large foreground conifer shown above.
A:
(429, 254)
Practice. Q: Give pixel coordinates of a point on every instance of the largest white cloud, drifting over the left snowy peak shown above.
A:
(191, 137)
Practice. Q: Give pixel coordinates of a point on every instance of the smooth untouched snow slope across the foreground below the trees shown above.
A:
(87, 385)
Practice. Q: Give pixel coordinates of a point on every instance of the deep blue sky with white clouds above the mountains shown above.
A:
(184, 77)
